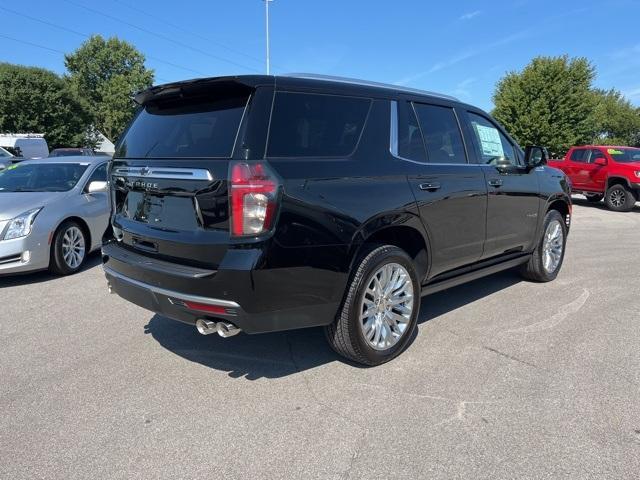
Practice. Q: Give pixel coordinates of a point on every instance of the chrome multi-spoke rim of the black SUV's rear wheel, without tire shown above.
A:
(386, 307)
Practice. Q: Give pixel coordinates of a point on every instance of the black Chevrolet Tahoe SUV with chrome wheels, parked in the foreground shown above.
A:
(263, 203)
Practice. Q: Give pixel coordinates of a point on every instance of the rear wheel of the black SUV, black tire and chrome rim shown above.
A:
(380, 310)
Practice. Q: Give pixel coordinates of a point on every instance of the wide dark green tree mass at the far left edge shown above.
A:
(35, 100)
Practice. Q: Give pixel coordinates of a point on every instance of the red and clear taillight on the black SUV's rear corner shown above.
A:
(253, 195)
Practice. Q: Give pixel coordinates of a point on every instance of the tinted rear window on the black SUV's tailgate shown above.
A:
(183, 128)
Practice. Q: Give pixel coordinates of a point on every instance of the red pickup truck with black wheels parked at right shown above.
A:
(598, 172)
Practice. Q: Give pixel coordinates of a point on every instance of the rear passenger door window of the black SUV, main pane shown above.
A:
(441, 132)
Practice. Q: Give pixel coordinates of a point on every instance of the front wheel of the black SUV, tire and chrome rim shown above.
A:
(547, 258)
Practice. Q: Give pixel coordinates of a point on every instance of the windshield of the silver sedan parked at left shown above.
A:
(41, 177)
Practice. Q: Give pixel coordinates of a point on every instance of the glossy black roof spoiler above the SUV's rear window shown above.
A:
(201, 85)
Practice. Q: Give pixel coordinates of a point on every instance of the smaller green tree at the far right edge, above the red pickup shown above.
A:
(617, 120)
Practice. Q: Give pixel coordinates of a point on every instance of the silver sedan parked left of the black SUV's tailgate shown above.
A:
(52, 213)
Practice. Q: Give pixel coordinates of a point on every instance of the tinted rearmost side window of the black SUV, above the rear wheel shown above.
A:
(314, 125)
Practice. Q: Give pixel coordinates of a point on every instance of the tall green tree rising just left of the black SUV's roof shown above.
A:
(107, 73)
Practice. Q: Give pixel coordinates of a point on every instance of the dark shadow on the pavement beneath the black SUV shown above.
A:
(279, 354)
